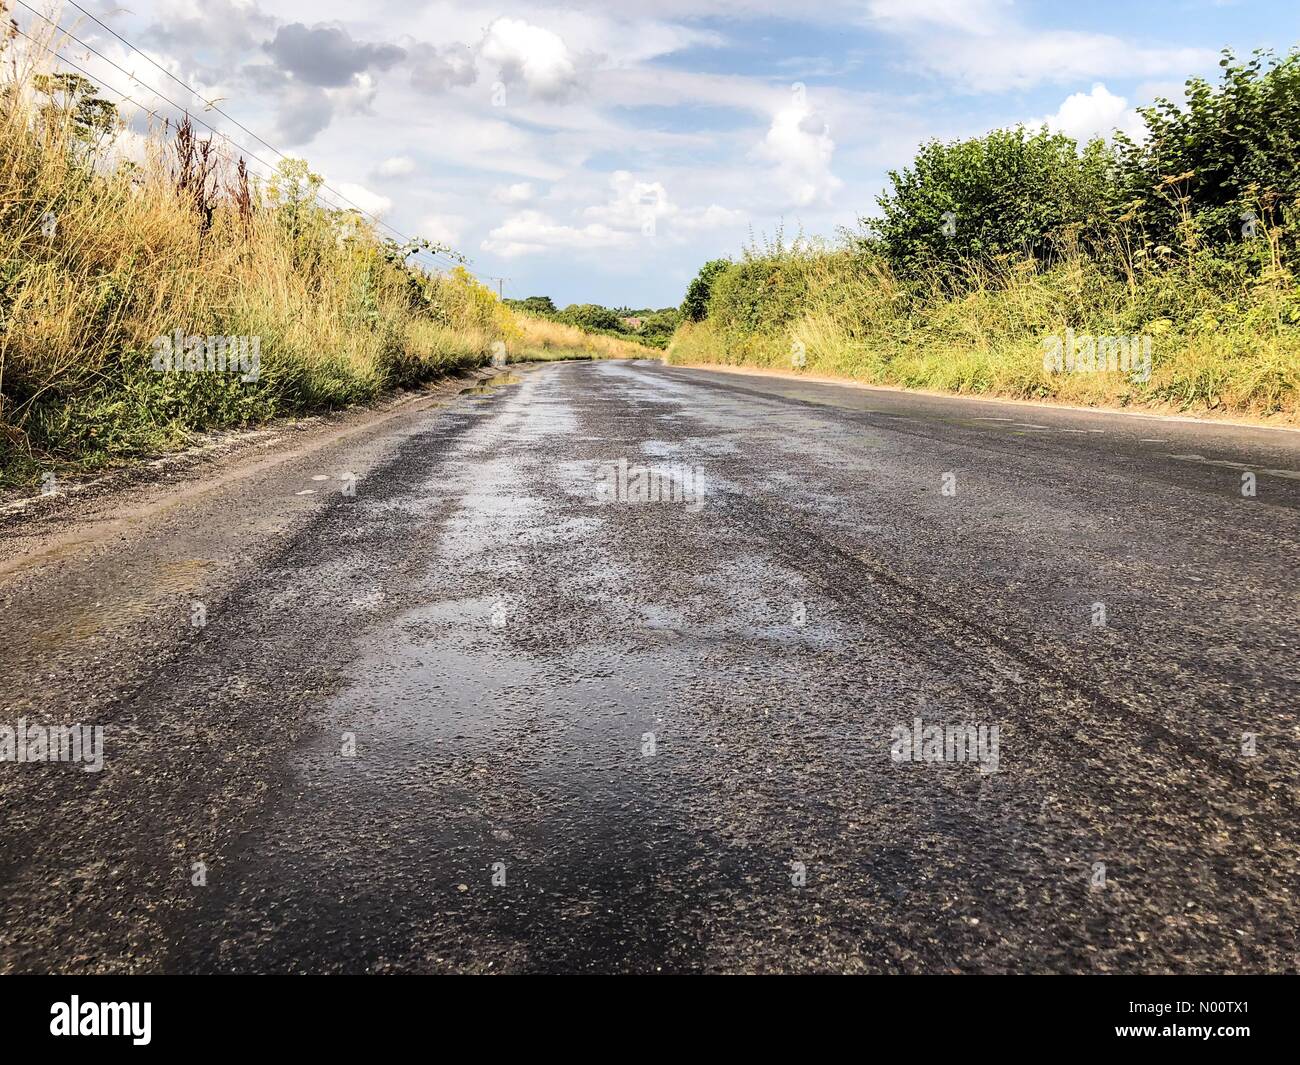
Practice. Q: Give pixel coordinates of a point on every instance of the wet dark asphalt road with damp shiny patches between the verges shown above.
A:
(484, 708)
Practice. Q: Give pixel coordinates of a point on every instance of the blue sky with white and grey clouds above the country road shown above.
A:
(603, 151)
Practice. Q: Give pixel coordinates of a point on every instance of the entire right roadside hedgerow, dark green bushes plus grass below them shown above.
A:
(991, 250)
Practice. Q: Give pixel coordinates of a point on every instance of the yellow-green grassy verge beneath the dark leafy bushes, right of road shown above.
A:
(1225, 334)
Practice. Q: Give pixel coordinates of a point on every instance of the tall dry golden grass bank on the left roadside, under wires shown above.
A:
(111, 239)
